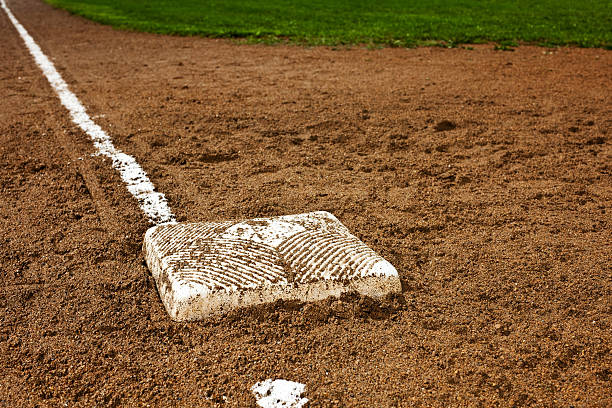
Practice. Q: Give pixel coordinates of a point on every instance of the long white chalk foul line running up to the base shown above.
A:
(153, 204)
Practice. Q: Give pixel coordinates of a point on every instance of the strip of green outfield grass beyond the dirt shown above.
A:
(585, 23)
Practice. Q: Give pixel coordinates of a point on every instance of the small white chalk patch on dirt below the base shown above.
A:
(279, 394)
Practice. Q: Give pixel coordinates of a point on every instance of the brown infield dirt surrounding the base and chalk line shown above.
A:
(484, 176)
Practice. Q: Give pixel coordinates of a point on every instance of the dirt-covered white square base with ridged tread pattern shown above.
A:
(209, 268)
